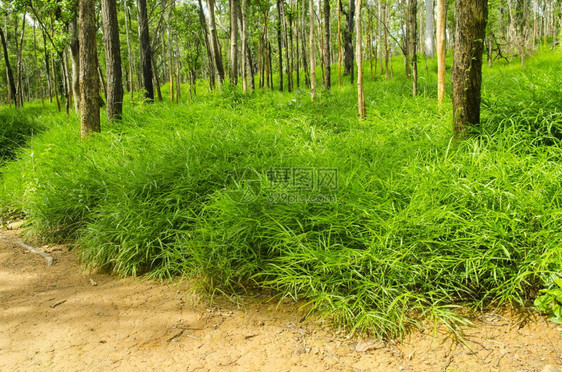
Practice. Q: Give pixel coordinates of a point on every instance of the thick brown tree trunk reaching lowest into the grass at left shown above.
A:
(89, 87)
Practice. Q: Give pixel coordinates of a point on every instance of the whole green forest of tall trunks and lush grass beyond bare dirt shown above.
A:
(383, 163)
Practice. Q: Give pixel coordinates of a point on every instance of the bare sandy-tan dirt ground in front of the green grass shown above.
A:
(60, 318)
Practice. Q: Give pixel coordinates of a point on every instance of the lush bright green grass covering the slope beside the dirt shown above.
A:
(421, 227)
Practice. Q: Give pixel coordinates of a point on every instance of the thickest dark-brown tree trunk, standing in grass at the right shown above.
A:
(467, 66)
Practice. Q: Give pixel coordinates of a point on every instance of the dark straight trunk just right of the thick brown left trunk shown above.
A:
(112, 60)
